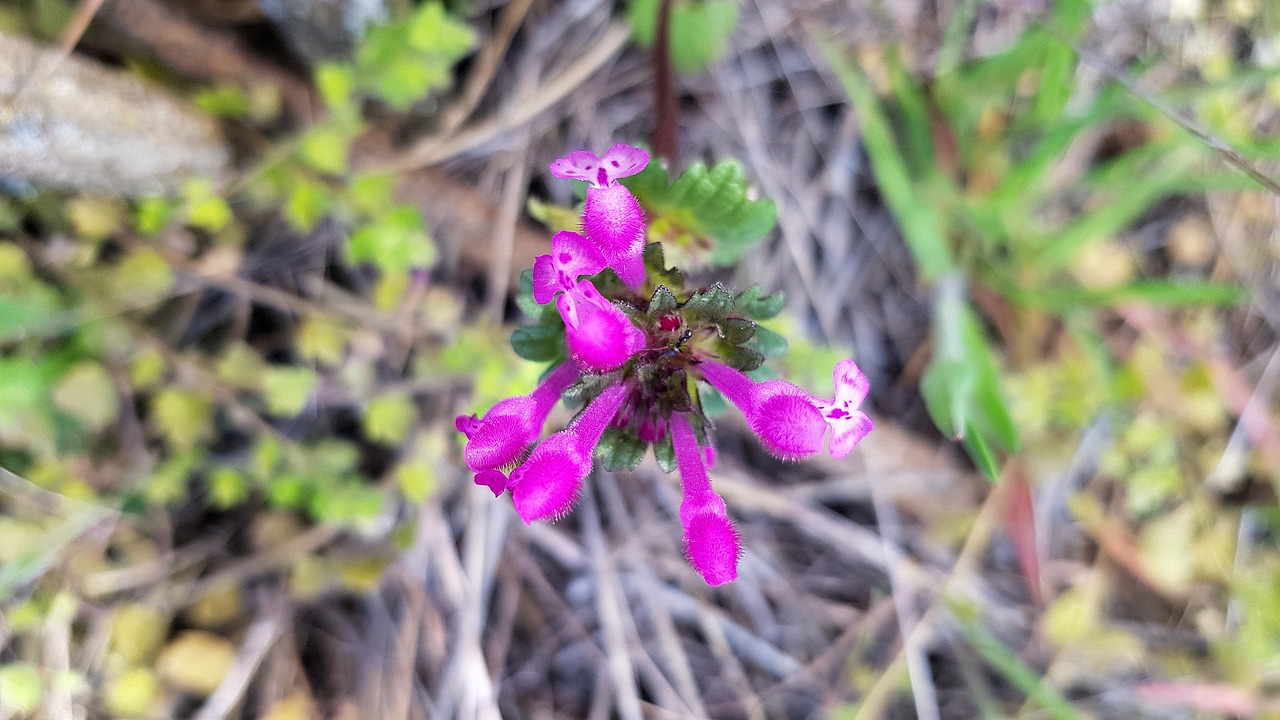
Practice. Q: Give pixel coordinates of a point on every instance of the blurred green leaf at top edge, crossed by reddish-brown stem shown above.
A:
(700, 30)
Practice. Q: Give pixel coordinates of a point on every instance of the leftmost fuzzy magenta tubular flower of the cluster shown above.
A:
(497, 443)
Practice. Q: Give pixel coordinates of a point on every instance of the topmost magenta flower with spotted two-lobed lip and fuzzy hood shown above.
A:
(612, 217)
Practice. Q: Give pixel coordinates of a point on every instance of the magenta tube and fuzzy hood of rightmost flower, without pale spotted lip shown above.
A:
(781, 414)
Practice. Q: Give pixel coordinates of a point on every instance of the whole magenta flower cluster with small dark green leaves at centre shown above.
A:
(632, 347)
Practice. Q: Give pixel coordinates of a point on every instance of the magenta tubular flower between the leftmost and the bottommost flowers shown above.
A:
(547, 485)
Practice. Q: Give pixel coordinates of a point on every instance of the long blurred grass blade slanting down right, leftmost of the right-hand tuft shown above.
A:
(921, 224)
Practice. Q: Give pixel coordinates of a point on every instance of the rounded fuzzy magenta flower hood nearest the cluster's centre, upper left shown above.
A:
(598, 335)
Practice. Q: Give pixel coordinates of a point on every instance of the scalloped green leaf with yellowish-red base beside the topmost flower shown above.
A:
(705, 208)
